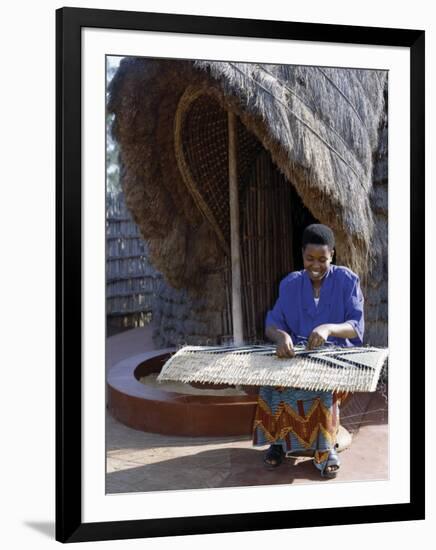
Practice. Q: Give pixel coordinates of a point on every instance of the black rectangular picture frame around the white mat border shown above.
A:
(69, 22)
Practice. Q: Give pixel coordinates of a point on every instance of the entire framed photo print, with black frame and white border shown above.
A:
(224, 185)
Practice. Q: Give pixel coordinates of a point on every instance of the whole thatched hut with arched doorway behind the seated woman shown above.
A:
(311, 145)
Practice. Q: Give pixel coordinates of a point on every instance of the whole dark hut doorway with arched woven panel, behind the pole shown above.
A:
(272, 215)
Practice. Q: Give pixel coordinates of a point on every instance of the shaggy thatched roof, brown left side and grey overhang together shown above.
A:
(320, 126)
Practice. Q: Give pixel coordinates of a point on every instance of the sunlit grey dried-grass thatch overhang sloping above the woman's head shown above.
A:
(321, 128)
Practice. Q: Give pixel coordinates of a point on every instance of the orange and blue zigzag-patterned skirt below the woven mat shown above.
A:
(299, 420)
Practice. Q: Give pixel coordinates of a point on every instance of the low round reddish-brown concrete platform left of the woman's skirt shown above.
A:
(155, 410)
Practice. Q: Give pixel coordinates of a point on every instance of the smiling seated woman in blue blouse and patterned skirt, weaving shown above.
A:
(321, 304)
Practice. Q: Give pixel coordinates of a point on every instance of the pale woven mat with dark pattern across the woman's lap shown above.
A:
(326, 369)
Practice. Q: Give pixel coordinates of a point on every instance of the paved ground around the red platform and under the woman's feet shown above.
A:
(142, 462)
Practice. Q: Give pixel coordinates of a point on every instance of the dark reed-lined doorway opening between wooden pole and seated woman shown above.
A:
(272, 220)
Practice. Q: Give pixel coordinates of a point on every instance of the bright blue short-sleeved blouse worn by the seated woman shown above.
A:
(340, 301)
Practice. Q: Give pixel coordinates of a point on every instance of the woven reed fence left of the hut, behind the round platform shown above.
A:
(131, 281)
